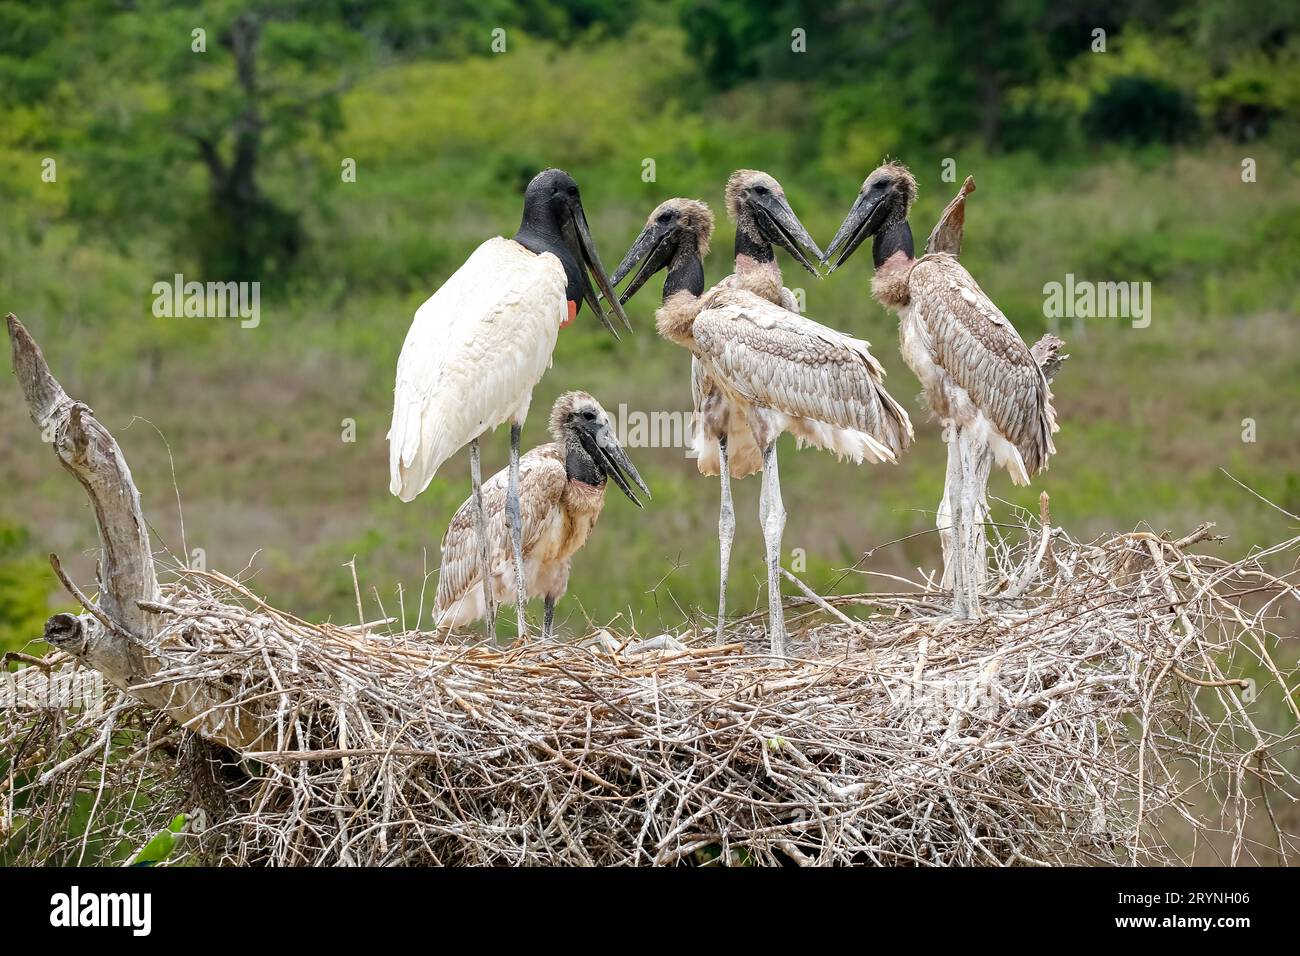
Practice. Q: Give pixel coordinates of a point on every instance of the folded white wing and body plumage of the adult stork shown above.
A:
(474, 353)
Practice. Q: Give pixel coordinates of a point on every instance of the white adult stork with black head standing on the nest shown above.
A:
(479, 347)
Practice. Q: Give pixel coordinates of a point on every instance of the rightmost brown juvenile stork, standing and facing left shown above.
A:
(981, 379)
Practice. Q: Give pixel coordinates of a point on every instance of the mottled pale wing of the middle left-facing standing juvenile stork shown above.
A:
(779, 360)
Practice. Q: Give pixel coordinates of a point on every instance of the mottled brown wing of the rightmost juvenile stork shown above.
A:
(976, 344)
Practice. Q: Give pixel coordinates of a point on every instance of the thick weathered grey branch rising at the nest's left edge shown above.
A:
(118, 637)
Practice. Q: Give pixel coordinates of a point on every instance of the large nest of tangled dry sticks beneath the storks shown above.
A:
(1082, 721)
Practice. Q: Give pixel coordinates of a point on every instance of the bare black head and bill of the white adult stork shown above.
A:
(554, 223)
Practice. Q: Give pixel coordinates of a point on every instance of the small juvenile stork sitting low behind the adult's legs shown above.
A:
(561, 495)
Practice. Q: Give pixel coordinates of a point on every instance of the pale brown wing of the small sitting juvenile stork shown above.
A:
(541, 483)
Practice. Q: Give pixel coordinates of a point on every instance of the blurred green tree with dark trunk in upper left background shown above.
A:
(226, 88)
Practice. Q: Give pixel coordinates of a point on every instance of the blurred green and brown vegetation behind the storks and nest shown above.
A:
(1117, 166)
